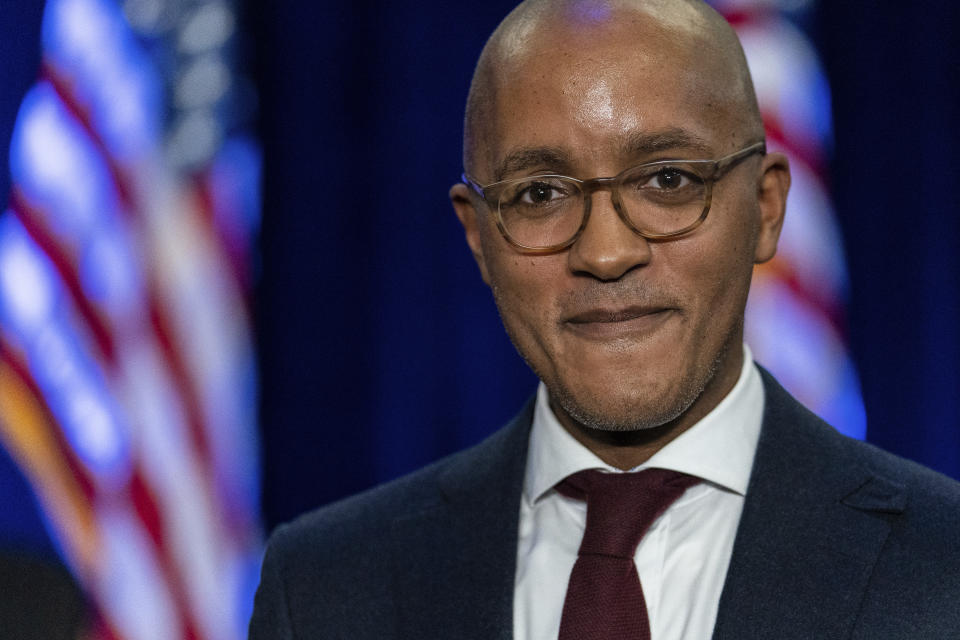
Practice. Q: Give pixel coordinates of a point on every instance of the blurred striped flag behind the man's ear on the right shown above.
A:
(795, 316)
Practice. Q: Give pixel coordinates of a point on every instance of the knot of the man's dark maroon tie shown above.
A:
(622, 506)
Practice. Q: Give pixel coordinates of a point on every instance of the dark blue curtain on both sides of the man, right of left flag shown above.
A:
(381, 348)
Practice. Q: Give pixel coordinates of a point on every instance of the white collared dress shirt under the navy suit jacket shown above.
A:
(682, 560)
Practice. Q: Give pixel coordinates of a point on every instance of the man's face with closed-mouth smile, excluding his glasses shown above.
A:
(626, 333)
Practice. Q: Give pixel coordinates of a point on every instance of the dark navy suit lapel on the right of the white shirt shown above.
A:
(813, 524)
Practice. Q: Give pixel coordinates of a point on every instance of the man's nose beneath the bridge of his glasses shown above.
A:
(607, 249)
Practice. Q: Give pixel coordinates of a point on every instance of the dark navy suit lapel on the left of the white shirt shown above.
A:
(457, 580)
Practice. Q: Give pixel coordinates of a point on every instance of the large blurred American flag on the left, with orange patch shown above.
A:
(127, 380)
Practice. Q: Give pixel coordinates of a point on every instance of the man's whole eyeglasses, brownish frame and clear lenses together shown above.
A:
(656, 200)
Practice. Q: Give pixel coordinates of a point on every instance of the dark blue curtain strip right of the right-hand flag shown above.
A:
(895, 71)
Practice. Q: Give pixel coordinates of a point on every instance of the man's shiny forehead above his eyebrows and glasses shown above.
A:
(591, 91)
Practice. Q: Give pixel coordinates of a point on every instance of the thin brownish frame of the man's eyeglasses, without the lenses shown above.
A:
(719, 168)
